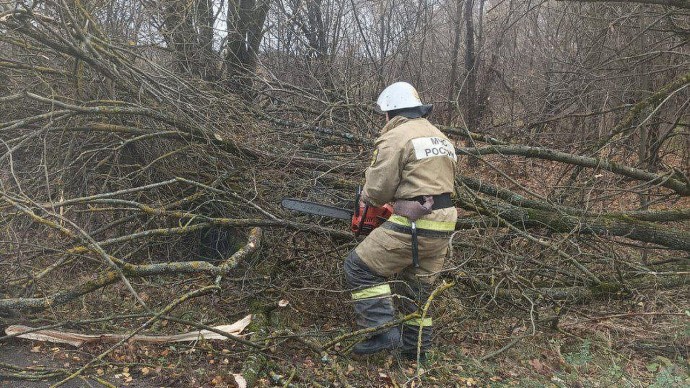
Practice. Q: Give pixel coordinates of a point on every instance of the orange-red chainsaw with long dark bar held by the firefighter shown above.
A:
(363, 218)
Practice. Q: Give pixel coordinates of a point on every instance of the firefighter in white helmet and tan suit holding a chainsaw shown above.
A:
(413, 167)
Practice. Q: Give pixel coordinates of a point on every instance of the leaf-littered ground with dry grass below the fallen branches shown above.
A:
(639, 340)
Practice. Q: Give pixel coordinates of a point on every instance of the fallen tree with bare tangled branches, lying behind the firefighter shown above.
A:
(164, 131)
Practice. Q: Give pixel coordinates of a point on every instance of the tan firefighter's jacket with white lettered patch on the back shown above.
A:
(412, 158)
